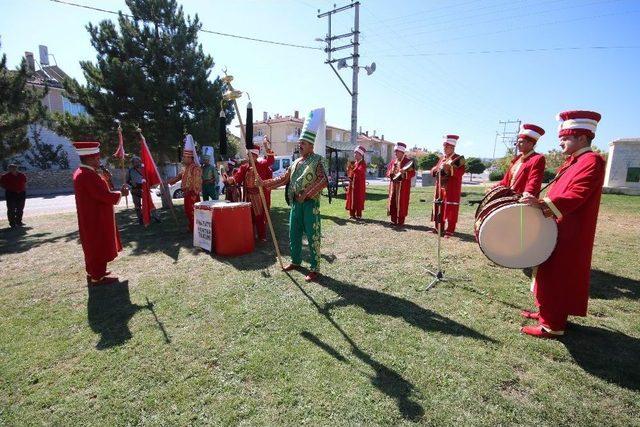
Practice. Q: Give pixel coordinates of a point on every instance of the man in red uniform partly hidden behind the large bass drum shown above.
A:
(527, 168)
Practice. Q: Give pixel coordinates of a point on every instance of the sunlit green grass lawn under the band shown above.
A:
(187, 338)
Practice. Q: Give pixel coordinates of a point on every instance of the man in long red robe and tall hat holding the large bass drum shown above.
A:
(561, 283)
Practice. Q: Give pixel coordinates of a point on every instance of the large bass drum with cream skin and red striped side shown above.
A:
(512, 234)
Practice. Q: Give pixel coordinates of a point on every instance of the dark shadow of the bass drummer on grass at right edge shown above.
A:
(610, 355)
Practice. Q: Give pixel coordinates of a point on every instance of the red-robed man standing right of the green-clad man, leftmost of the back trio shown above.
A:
(400, 172)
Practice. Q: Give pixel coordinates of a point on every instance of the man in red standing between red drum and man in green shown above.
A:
(251, 193)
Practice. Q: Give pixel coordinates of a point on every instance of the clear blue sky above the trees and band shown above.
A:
(431, 76)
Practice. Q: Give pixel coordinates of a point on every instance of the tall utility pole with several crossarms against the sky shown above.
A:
(342, 62)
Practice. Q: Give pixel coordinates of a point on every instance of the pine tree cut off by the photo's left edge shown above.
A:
(20, 105)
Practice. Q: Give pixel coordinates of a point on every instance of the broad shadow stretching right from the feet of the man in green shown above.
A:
(380, 303)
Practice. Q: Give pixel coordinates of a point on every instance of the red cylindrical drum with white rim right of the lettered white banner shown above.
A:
(233, 229)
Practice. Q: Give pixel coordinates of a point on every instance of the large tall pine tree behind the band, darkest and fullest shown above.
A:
(151, 72)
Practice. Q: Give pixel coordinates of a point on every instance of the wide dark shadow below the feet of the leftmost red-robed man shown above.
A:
(109, 309)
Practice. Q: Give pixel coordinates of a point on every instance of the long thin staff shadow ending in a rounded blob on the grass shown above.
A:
(385, 379)
